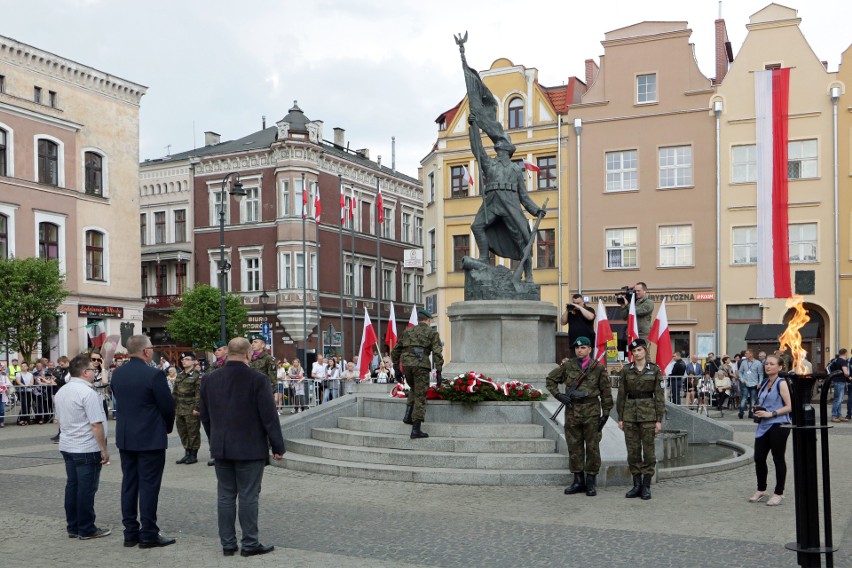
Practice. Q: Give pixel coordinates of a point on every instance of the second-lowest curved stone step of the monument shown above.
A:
(425, 458)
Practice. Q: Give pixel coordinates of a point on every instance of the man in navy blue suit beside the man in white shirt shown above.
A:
(147, 417)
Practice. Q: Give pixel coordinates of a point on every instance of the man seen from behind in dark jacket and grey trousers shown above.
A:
(239, 417)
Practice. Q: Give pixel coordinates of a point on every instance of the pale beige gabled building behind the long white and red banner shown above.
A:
(774, 40)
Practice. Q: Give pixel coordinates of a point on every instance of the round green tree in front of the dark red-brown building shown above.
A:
(196, 321)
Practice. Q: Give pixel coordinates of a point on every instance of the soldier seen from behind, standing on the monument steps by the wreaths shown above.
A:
(413, 349)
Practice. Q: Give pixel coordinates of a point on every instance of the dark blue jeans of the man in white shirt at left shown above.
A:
(83, 472)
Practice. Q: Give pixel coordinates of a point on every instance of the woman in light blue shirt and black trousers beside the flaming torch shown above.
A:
(772, 411)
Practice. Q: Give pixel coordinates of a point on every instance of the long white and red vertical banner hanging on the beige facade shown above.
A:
(771, 97)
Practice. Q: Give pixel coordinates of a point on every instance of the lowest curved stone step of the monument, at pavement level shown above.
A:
(382, 472)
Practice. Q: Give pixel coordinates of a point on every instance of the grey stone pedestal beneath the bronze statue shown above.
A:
(503, 339)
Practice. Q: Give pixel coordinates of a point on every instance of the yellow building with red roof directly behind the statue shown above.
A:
(531, 115)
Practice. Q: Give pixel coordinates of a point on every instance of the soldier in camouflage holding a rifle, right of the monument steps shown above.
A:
(588, 402)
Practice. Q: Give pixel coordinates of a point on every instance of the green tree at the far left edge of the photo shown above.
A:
(33, 289)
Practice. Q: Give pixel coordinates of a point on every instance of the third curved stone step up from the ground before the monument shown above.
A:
(434, 443)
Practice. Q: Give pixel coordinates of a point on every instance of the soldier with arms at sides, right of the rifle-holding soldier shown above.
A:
(641, 407)
